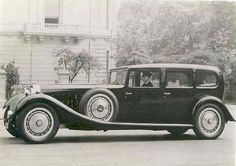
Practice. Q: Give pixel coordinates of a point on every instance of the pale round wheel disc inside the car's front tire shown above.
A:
(38, 123)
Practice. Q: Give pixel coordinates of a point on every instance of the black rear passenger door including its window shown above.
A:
(178, 94)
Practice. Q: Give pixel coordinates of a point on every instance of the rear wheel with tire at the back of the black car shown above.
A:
(209, 121)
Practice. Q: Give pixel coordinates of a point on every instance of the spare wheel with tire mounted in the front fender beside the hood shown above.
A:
(100, 104)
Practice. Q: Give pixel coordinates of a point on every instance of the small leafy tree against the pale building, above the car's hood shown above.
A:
(74, 62)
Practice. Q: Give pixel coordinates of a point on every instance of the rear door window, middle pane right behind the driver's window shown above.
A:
(176, 79)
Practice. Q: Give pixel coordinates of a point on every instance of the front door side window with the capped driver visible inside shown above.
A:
(144, 79)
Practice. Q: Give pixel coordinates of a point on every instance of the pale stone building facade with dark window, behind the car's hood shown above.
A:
(31, 30)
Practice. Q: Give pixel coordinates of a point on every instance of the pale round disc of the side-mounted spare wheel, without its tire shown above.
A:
(100, 107)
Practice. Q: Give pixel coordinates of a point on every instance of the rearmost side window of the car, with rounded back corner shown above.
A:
(205, 78)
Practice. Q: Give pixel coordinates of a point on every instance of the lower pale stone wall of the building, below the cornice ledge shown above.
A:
(36, 62)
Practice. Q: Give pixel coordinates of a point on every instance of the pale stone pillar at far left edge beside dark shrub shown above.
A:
(2, 87)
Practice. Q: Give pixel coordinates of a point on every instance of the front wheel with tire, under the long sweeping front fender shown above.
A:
(37, 123)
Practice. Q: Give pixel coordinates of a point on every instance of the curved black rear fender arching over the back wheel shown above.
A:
(214, 100)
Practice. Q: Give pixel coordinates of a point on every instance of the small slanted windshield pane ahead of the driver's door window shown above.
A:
(117, 77)
